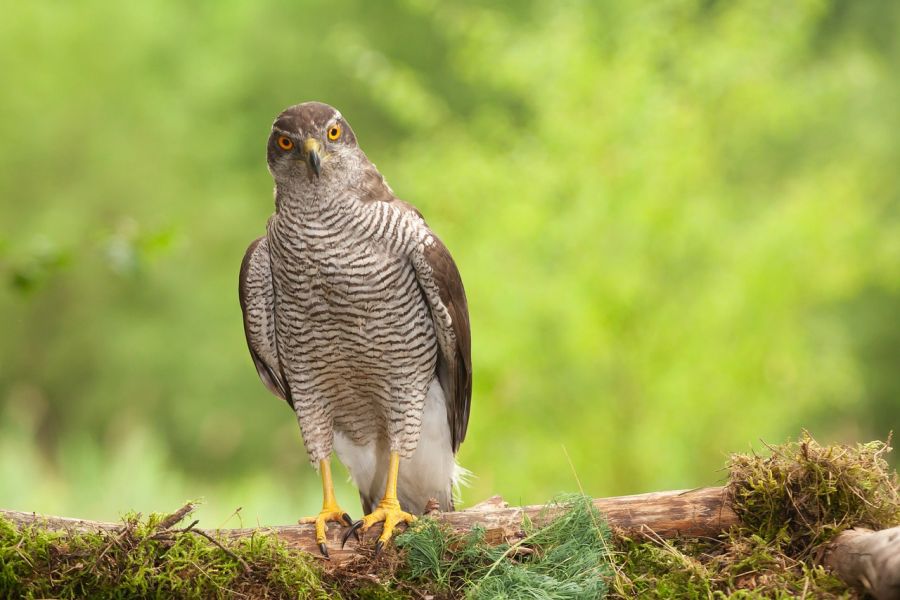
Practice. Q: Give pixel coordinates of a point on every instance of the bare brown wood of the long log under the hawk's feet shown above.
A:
(700, 512)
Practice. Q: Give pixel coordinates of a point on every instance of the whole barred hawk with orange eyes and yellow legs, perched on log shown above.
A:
(355, 314)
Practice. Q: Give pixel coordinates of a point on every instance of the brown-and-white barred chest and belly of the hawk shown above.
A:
(352, 324)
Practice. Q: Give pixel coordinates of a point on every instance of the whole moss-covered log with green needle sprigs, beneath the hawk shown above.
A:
(766, 534)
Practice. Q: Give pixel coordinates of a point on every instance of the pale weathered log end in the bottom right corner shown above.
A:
(869, 560)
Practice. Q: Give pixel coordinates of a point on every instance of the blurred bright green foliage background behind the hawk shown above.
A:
(678, 223)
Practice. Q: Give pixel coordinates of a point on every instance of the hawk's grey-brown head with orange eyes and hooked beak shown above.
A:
(311, 144)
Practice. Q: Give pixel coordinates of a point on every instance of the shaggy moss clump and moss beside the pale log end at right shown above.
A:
(790, 504)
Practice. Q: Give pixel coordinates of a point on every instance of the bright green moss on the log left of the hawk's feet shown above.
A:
(141, 561)
